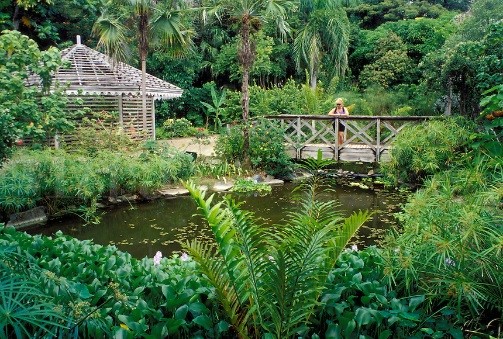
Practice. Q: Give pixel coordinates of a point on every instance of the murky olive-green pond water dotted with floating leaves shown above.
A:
(160, 225)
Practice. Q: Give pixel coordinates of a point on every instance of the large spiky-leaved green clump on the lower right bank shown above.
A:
(450, 247)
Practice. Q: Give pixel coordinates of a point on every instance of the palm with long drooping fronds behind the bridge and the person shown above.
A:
(325, 32)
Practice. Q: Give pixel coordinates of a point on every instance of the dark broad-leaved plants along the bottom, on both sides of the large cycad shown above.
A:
(79, 289)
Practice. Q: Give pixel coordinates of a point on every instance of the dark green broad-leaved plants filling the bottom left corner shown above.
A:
(65, 287)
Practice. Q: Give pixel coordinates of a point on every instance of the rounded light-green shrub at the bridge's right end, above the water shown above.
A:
(423, 150)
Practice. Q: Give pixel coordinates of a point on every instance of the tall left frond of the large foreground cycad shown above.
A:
(239, 246)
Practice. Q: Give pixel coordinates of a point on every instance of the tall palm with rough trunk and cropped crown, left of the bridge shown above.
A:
(250, 16)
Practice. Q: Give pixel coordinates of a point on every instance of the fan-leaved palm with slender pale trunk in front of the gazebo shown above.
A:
(151, 21)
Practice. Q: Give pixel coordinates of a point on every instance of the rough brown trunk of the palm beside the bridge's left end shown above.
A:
(246, 58)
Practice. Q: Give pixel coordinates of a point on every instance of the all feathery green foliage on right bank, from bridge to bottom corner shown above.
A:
(450, 248)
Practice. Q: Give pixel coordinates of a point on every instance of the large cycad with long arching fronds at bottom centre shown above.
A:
(268, 279)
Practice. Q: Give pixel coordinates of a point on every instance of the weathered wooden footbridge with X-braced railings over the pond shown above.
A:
(368, 138)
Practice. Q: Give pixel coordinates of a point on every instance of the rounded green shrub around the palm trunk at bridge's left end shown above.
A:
(267, 151)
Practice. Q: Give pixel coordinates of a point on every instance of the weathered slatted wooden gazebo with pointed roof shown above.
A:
(106, 85)
